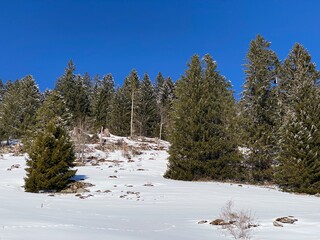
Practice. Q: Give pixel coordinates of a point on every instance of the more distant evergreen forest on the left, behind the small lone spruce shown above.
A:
(137, 108)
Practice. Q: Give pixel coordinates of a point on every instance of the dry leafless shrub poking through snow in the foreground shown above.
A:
(238, 223)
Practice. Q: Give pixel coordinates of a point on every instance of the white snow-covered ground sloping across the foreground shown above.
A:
(141, 204)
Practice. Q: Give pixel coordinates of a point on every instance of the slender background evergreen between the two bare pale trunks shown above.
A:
(147, 115)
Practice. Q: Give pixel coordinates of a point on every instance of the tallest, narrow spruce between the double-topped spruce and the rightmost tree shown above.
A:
(260, 109)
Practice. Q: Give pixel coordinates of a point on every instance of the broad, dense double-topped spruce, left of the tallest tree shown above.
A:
(201, 144)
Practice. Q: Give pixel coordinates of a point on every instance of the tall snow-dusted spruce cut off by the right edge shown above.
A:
(299, 168)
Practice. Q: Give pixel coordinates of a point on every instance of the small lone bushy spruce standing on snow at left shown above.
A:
(50, 158)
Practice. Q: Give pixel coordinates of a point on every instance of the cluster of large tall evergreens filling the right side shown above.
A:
(272, 135)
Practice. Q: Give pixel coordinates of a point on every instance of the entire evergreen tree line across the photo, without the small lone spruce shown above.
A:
(270, 136)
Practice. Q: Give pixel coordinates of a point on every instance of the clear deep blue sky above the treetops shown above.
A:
(38, 37)
